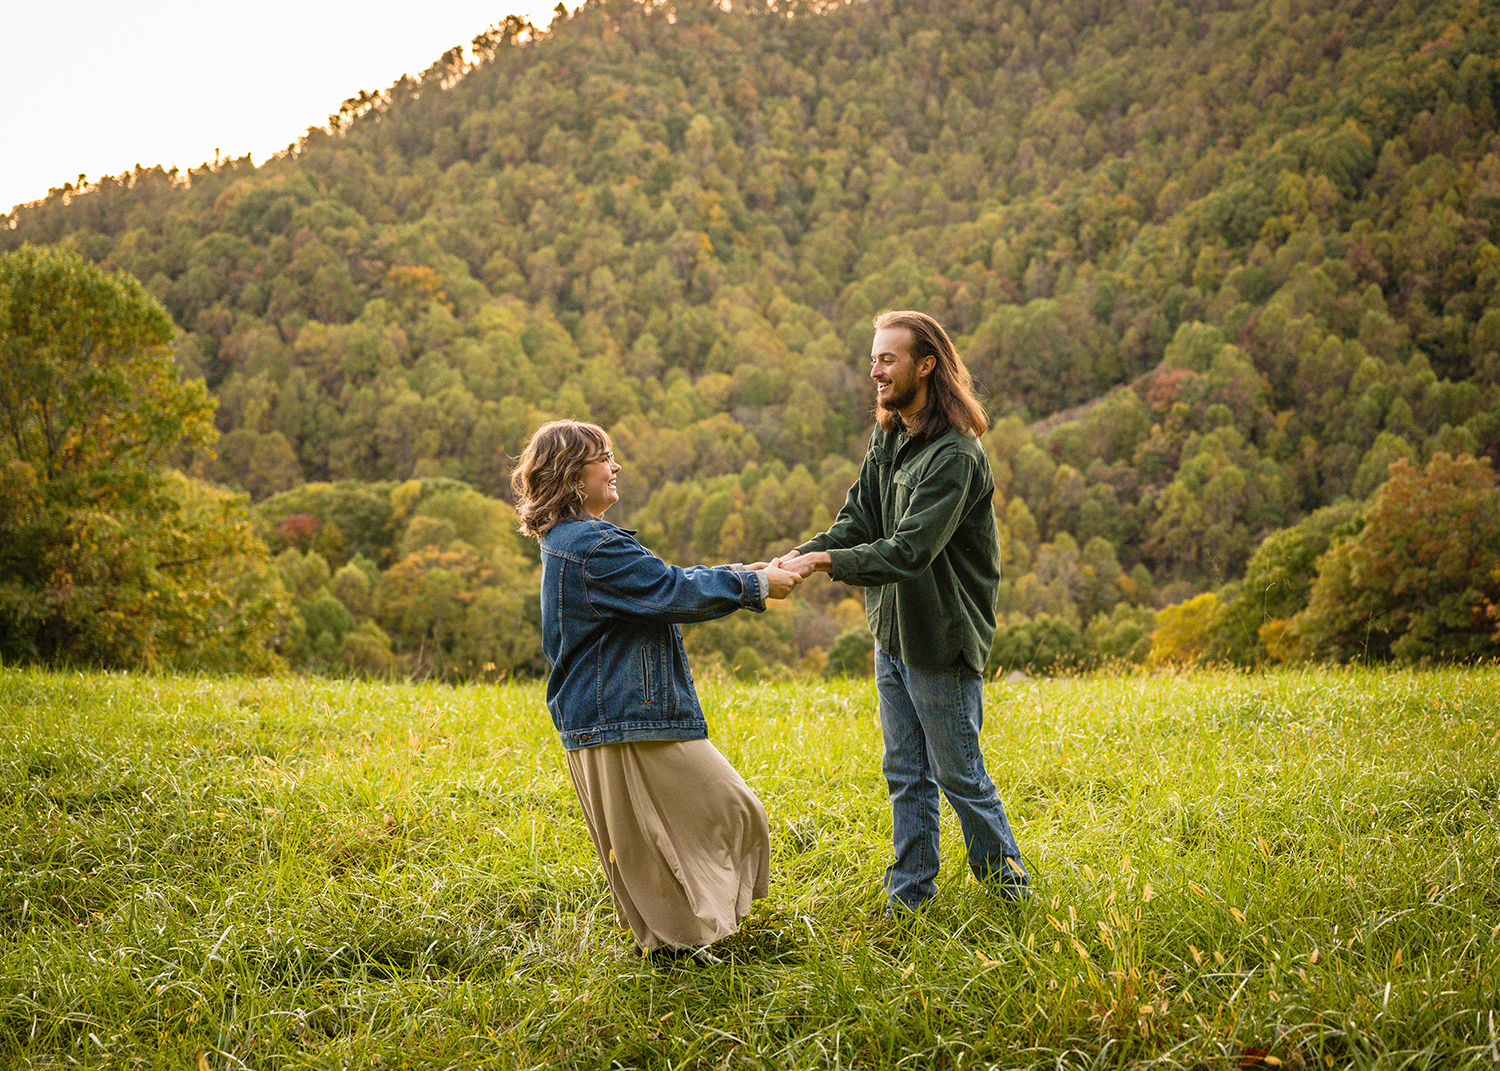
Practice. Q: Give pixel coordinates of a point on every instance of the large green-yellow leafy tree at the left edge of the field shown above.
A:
(106, 556)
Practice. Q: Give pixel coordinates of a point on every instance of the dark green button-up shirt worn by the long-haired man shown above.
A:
(919, 530)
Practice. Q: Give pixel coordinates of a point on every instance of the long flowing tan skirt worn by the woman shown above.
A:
(683, 839)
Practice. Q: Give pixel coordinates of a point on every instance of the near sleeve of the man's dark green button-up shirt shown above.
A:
(929, 506)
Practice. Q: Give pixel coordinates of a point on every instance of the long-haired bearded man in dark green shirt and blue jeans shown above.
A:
(919, 530)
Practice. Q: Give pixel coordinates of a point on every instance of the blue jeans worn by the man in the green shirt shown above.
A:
(931, 722)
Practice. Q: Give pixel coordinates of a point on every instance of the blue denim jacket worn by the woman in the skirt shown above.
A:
(610, 628)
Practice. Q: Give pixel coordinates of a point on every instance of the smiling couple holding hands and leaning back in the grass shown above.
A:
(682, 838)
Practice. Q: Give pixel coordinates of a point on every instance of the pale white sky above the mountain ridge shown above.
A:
(94, 88)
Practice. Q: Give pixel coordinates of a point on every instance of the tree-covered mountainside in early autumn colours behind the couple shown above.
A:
(1216, 265)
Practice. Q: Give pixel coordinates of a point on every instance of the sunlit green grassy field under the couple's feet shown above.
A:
(1231, 872)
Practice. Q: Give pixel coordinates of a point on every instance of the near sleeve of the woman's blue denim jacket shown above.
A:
(625, 580)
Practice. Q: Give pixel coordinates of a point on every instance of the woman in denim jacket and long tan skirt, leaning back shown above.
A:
(683, 839)
